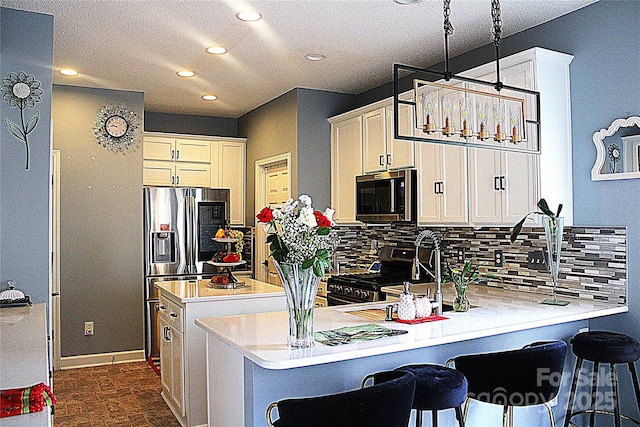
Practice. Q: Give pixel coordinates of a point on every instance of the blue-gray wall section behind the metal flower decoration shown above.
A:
(26, 44)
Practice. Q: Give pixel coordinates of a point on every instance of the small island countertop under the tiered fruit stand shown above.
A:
(199, 291)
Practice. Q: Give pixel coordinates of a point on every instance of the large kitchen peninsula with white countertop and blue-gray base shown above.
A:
(249, 355)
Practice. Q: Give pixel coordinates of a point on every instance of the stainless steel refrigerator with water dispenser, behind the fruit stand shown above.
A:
(179, 226)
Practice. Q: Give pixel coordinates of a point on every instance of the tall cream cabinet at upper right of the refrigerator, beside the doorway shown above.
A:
(228, 170)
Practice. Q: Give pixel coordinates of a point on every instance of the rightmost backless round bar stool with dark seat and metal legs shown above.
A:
(603, 347)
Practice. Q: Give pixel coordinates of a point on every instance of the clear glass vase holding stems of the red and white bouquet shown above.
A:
(300, 287)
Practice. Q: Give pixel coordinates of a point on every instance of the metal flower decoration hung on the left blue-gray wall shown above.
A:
(23, 91)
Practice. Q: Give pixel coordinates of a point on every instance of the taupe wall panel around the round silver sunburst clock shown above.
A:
(101, 246)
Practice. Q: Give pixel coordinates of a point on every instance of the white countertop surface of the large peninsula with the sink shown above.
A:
(262, 337)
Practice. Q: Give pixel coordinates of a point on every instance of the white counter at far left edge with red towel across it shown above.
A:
(23, 356)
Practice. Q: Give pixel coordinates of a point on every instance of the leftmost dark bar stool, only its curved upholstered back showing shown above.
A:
(385, 404)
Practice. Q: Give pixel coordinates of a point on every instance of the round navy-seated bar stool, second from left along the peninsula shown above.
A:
(437, 388)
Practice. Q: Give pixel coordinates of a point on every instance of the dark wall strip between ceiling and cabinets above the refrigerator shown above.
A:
(193, 125)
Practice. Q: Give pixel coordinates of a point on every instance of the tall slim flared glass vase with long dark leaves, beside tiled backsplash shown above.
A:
(553, 226)
